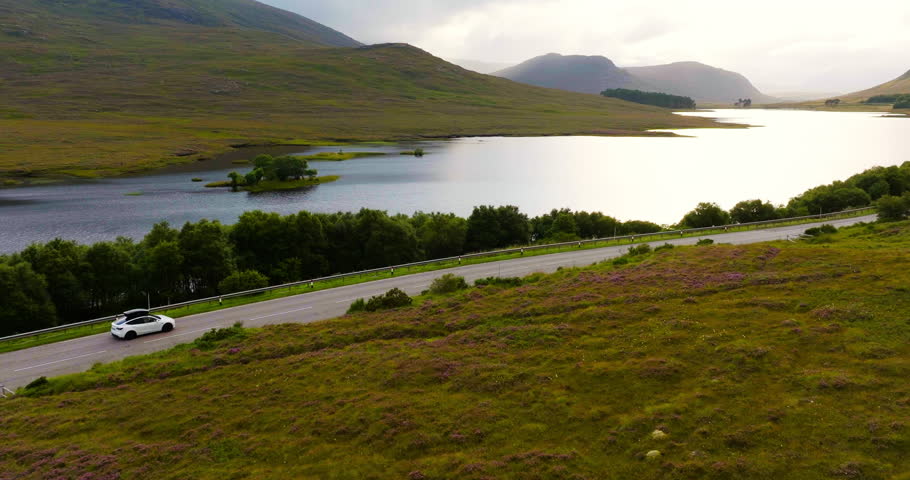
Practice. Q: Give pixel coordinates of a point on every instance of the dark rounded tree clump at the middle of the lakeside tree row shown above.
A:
(496, 227)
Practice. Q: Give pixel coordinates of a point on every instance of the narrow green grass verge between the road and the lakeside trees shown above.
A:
(77, 332)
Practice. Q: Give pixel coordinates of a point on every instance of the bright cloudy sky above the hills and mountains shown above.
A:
(792, 45)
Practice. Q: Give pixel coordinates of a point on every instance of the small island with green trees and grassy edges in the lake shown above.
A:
(274, 173)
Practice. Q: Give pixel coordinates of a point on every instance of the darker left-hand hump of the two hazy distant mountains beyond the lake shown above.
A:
(576, 73)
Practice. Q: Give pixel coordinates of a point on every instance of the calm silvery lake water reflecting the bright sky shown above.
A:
(657, 179)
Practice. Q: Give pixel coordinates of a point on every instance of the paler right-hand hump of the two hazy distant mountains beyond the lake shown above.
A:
(704, 83)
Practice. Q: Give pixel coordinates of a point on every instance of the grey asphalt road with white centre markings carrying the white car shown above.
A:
(77, 355)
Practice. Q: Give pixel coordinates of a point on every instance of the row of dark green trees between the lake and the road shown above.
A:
(62, 281)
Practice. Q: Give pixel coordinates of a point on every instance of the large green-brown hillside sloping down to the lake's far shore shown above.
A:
(91, 90)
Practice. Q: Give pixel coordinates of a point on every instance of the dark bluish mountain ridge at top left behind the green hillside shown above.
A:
(227, 14)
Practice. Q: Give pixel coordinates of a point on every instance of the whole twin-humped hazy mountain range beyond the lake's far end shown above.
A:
(703, 83)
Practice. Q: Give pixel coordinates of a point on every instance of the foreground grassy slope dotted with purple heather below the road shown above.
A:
(771, 361)
